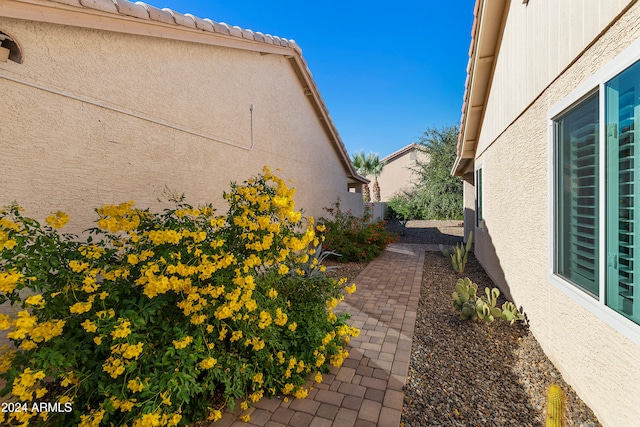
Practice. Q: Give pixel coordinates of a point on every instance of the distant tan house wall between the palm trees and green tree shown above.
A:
(397, 175)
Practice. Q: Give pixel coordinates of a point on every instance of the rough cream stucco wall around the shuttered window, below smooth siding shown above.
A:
(602, 365)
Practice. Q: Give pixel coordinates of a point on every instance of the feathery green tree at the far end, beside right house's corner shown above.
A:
(438, 194)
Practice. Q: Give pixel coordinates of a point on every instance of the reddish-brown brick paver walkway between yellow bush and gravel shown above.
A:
(368, 389)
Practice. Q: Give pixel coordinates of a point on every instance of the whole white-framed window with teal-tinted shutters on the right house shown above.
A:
(596, 188)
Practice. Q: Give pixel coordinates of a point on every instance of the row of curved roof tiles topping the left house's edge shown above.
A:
(143, 10)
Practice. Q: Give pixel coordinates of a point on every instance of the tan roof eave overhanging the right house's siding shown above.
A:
(486, 33)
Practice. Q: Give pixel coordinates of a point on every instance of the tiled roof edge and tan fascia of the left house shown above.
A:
(143, 19)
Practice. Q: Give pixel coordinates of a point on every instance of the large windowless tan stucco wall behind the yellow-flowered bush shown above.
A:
(75, 154)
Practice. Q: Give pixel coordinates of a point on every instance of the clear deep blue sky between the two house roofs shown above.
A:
(387, 71)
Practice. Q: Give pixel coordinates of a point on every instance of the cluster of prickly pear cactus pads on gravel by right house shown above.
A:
(470, 306)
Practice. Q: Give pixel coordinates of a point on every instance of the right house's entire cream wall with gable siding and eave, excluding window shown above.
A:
(505, 133)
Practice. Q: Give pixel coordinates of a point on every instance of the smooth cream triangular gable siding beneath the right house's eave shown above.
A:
(541, 39)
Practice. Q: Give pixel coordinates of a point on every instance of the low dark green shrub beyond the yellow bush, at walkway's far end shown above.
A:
(355, 238)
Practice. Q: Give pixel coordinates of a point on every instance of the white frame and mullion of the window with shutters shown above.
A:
(597, 306)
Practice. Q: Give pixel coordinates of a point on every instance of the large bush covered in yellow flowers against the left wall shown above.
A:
(165, 318)
